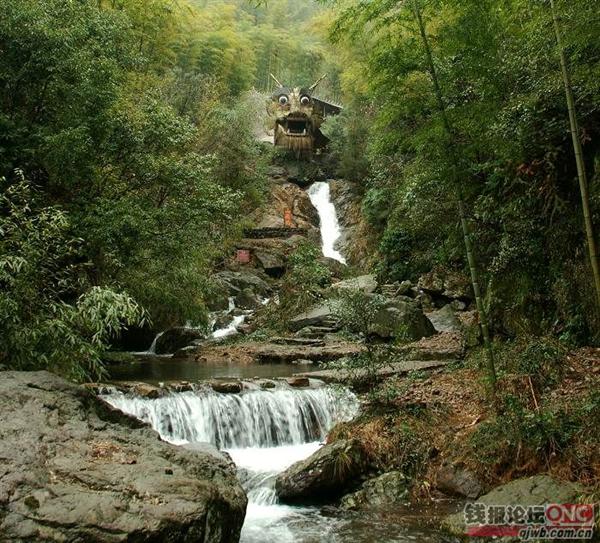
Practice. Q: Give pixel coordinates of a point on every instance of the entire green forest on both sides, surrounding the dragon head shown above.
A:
(130, 163)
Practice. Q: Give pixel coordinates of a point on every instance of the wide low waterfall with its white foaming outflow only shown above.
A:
(264, 431)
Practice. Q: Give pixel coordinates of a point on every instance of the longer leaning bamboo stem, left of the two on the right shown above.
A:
(466, 229)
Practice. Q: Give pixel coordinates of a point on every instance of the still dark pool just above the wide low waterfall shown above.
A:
(156, 369)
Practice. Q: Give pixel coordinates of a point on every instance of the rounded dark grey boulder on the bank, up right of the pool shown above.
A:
(401, 318)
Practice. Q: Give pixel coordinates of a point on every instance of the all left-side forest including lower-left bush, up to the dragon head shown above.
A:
(127, 139)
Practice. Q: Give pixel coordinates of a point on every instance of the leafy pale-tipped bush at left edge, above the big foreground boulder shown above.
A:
(50, 317)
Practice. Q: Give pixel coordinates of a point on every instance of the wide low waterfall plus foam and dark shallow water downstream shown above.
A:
(264, 432)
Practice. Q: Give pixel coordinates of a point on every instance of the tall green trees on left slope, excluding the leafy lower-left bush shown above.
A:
(141, 136)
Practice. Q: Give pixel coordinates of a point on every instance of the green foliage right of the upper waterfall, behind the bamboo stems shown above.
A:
(500, 78)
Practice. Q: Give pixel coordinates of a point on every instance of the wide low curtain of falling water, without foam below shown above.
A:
(256, 418)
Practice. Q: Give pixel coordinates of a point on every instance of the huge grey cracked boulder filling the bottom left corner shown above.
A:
(74, 469)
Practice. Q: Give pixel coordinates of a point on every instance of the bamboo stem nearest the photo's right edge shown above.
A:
(581, 174)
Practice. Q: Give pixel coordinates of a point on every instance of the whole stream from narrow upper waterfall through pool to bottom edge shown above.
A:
(267, 430)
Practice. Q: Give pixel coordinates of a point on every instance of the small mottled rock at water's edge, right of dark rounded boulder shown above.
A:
(387, 489)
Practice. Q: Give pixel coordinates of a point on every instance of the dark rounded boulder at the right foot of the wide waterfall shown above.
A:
(324, 475)
